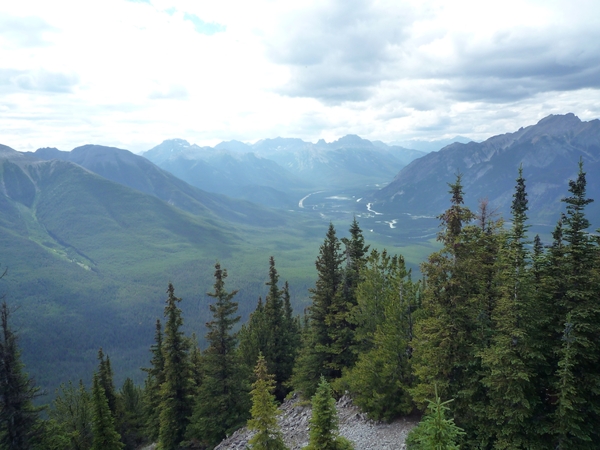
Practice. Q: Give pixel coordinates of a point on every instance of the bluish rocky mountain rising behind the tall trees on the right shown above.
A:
(549, 152)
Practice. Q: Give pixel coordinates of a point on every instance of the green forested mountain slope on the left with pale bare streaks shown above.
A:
(88, 262)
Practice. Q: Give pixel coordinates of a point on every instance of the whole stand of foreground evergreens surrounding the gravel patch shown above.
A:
(498, 344)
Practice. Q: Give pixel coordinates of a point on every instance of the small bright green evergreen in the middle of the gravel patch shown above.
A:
(324, 433)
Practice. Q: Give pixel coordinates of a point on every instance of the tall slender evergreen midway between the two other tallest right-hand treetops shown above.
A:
(510, 361)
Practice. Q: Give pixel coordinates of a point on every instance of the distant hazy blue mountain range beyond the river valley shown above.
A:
(274, 172)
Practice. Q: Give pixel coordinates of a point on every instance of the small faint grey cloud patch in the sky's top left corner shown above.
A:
(24, 31)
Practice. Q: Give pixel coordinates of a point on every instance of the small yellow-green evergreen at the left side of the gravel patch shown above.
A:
(264, 411)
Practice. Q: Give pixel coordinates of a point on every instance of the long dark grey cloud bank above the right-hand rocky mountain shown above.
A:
(520, 64)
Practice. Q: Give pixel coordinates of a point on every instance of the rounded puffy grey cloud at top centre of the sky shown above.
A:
(339, 52)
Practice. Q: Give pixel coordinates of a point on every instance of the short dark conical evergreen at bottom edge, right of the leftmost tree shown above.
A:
(104, 432)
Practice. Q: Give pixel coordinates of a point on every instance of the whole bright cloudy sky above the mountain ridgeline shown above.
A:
(134, 73)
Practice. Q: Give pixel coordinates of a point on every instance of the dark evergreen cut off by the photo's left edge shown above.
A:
(20, 426)
